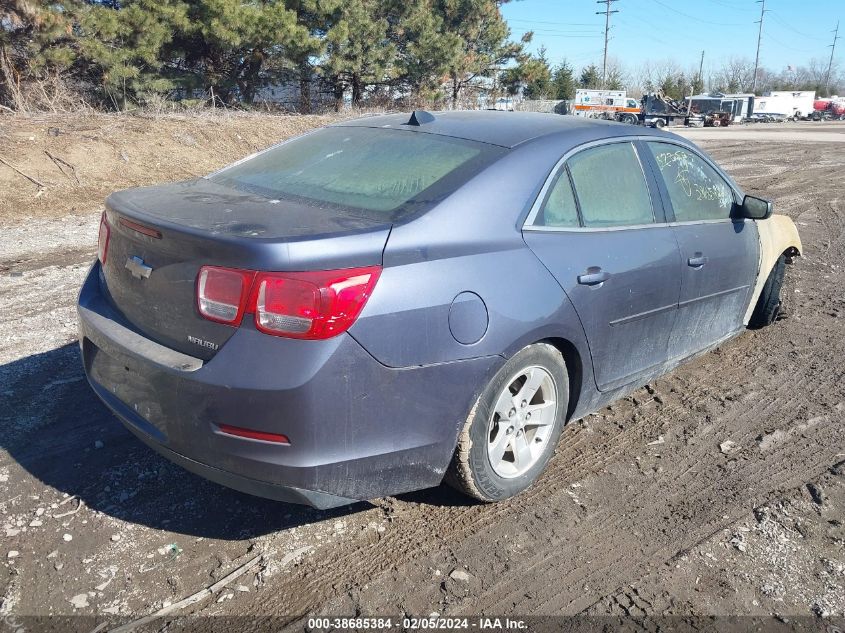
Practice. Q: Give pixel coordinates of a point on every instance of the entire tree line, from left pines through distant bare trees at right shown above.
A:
(442, 53)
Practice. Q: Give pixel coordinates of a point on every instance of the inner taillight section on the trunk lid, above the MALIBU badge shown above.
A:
(222, 293)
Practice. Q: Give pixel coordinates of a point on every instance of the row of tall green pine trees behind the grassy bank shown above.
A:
(122, 51)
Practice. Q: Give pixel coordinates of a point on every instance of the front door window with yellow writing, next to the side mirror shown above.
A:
(696, 190)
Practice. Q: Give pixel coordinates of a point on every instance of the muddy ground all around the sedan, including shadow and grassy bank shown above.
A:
(644, 510)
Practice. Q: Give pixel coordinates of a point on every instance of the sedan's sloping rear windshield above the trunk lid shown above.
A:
(381, 173)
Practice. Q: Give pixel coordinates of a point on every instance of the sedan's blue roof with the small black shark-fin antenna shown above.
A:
(506, 129)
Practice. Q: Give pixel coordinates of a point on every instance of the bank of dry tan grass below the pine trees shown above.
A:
(81, 158)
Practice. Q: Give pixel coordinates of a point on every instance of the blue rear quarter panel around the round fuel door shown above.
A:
(471, 242)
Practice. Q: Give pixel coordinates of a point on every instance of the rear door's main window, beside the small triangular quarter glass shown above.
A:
(611, 187)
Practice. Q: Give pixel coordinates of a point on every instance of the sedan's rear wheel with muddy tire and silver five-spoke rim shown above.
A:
(488, 426)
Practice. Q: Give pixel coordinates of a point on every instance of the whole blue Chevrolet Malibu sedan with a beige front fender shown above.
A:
(385, 303)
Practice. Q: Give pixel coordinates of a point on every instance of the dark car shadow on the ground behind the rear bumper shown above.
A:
(59, 432)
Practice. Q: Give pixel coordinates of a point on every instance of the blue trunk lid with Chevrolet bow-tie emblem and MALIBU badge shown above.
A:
(161, 236)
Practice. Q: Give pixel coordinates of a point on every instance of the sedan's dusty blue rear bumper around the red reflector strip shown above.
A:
(358, 429)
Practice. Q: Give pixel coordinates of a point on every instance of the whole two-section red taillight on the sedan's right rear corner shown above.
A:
(307, 305)
